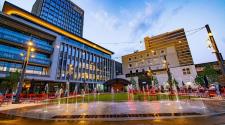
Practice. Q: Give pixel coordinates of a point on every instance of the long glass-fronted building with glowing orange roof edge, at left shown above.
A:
(59, 56)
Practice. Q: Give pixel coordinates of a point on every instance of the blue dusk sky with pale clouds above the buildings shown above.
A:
(120, 25)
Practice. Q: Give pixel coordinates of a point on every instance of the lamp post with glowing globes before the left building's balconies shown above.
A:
(26, 60)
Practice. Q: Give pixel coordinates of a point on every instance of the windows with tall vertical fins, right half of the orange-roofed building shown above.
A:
(85, 65)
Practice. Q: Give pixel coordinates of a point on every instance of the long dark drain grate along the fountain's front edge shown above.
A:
(123, 115)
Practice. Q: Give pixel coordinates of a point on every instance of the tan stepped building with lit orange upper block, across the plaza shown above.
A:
(169, 48)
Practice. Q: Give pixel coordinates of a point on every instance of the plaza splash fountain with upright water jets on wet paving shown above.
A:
(108, 106)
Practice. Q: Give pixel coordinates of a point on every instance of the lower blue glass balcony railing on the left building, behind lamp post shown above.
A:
(17, 57)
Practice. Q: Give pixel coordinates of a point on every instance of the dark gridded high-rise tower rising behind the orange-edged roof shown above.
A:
(62, 13)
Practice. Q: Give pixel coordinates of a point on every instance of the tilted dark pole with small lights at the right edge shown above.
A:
(216, 50)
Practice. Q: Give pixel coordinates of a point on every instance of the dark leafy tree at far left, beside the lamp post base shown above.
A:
(10, 82)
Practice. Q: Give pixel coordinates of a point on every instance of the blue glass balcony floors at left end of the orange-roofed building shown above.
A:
(13, 45)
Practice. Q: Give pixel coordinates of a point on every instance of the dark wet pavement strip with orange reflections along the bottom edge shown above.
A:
(212, 120)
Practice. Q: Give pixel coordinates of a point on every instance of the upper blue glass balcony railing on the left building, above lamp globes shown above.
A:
(15, 38)
